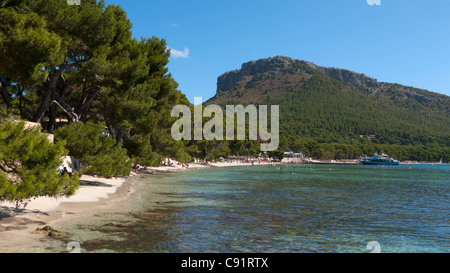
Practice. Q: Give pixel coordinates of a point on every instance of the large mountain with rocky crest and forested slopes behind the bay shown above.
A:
(338, 105)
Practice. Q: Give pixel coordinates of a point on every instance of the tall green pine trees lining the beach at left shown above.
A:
(80, 64)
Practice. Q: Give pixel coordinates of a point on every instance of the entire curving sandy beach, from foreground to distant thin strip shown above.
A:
(17, 225)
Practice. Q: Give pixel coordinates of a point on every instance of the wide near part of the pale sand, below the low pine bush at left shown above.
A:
(17, 225)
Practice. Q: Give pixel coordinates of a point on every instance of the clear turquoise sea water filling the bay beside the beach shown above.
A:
(318, 208)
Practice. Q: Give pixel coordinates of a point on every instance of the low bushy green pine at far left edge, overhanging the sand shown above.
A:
(29, 165)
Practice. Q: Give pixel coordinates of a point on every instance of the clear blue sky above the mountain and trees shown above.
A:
(399, 41)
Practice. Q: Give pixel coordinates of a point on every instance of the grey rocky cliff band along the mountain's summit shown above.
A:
(265, 68)
